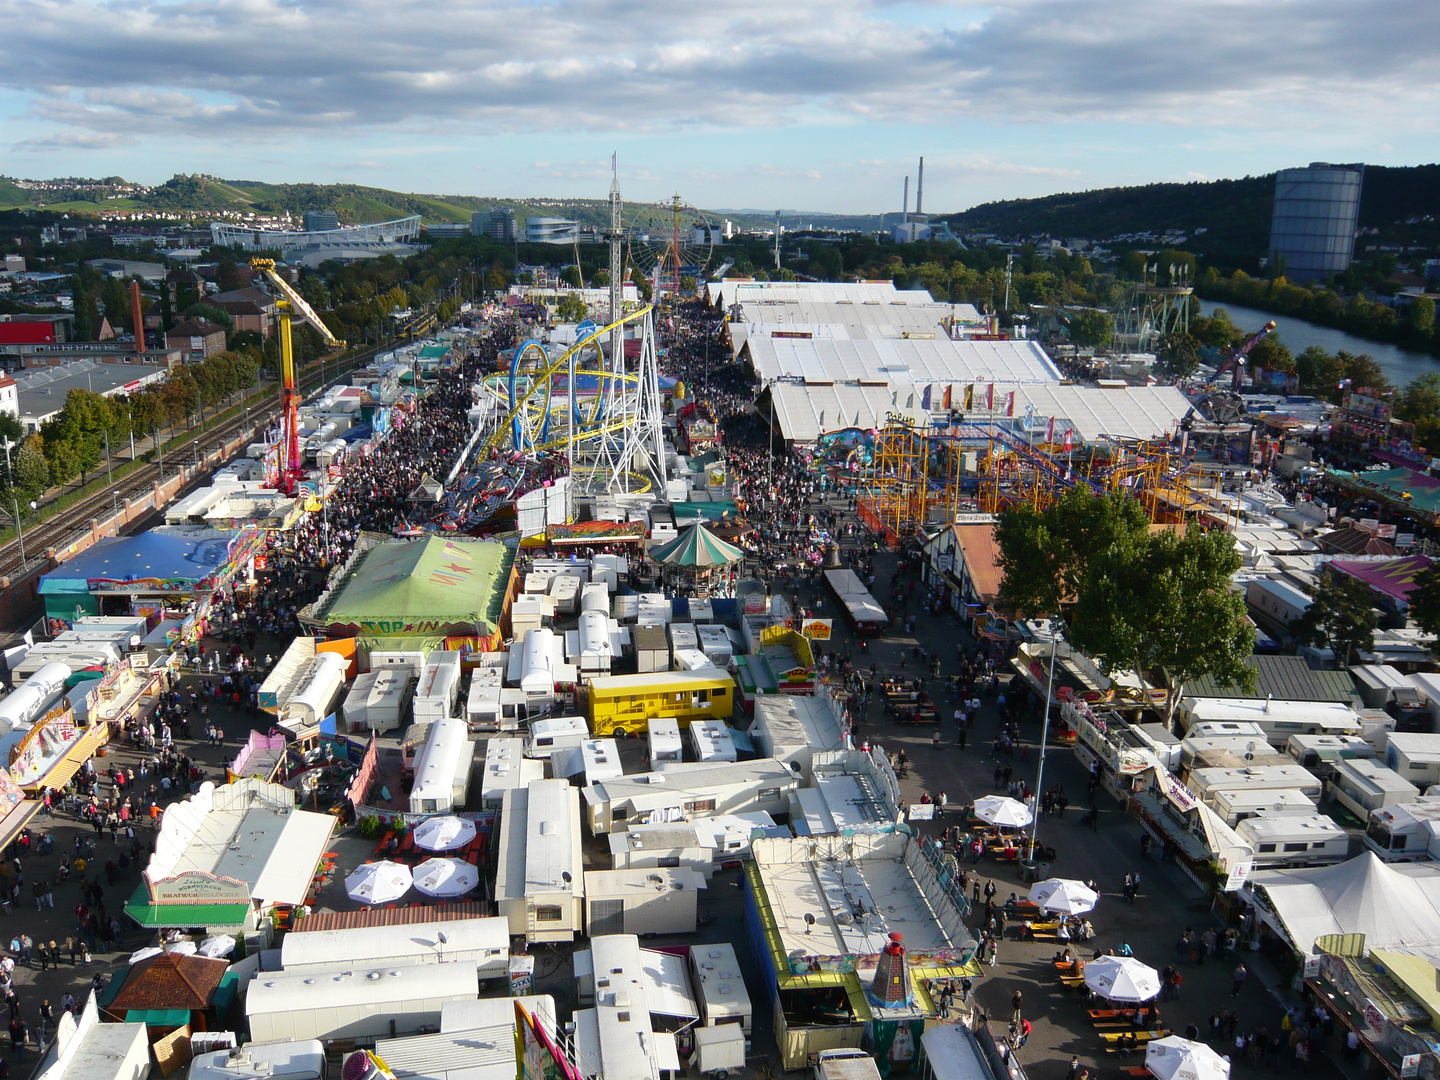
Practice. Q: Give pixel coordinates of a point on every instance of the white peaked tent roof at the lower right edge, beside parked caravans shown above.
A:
(1396, 908)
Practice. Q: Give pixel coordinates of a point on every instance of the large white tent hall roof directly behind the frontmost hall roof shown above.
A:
(912, 361)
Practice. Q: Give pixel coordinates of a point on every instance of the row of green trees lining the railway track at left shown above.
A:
(74, 443)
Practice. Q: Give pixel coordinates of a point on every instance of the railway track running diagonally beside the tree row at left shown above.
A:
(70, 525)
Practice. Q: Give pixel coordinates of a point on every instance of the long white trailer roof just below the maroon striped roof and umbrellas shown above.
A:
(483, 944)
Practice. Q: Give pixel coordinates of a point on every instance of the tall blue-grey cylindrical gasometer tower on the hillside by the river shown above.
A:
(1317, 210)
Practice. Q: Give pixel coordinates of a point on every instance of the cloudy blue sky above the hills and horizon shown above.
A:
(803, 104)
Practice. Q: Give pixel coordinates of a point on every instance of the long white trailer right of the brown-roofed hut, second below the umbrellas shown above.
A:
(361, 1003)
